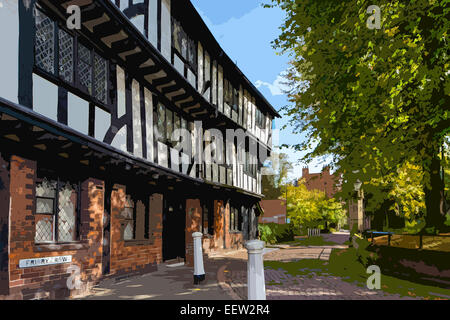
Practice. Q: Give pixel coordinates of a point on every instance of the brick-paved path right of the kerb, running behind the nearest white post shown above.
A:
(282, 286)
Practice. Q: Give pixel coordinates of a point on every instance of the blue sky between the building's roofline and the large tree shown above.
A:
(245, 30)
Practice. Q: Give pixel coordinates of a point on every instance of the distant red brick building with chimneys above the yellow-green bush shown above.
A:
(323, 181)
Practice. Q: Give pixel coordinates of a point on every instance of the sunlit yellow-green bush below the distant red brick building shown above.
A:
(311, 209)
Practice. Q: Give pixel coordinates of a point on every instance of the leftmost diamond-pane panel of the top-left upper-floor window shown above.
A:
(45, 43)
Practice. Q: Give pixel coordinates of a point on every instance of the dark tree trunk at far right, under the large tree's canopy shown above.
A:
(434, 196)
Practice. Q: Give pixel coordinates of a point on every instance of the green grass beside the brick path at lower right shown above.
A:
(343, 264)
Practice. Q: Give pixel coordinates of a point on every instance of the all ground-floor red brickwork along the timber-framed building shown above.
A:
(126, 257)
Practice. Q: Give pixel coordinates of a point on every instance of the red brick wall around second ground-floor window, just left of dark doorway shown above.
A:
(138, 255)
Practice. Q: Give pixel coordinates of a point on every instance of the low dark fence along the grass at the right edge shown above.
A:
(407, 241)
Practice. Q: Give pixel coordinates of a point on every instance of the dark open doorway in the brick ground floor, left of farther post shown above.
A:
(174, 229)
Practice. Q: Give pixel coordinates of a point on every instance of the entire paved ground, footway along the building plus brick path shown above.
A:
(226, 278)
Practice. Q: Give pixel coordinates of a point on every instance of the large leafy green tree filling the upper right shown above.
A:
(372, 99)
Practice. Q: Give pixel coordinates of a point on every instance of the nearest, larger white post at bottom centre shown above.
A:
(255, 270)
